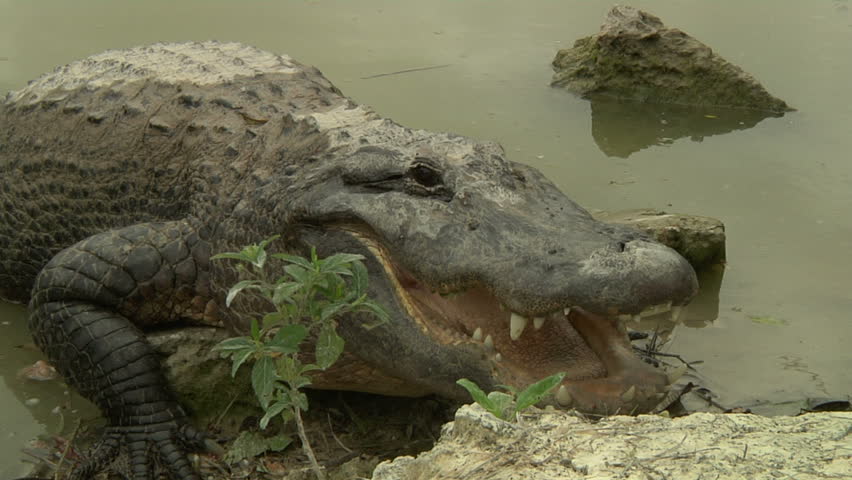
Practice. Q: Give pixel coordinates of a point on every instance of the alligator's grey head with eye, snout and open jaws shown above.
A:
(490, 271)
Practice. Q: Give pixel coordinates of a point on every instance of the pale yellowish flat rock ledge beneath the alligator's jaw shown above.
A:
(557, 445)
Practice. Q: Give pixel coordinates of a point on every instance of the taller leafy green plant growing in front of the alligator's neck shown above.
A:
(304, 302)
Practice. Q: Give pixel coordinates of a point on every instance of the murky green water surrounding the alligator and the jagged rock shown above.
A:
(782, 187)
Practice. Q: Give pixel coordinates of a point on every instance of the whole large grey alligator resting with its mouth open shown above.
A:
(121, 174)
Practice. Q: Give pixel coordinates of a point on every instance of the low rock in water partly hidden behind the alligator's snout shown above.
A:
(701, 240)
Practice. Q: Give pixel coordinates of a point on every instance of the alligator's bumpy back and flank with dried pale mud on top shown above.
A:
(154, 133)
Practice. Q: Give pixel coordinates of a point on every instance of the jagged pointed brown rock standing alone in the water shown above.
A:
(635, 57)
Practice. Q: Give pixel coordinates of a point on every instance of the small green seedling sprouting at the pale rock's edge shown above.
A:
(506, 406)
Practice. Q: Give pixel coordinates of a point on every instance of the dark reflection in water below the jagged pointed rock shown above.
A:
(621, 128)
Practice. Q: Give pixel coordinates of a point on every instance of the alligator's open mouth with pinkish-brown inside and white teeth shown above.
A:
(603, 375)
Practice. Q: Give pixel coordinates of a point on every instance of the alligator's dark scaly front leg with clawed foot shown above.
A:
(85, 308)
